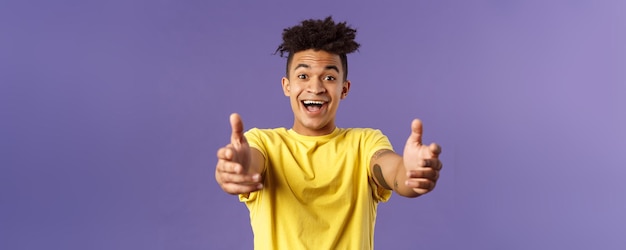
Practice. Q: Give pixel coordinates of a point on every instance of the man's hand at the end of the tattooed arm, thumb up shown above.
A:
(421, 161)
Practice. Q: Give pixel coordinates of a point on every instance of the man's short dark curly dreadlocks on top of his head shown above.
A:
(336, 38)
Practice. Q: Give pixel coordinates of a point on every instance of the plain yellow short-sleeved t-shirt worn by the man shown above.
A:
(318, 190)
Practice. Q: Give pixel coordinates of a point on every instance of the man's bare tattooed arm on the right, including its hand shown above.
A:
(415, 172)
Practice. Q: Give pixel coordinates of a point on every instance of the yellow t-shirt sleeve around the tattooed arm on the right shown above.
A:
(376, 141)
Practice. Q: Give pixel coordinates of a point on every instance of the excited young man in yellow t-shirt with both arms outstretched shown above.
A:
(317, 186)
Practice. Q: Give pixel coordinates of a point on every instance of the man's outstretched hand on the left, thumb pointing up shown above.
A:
(233, 171)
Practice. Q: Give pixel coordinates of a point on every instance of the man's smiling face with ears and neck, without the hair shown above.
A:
(314, 87)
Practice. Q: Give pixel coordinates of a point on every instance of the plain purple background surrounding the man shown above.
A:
(112, 112)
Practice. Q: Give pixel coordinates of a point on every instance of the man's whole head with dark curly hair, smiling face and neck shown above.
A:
(316, 72)
